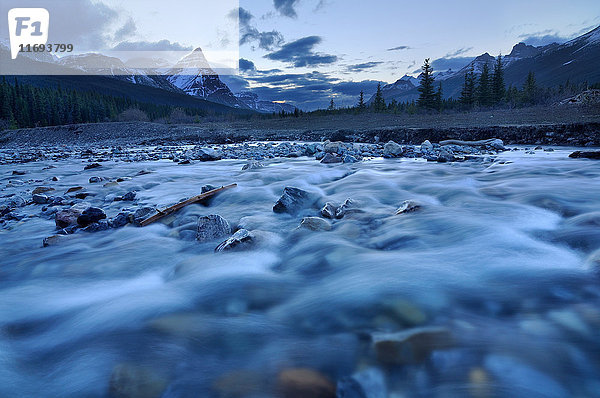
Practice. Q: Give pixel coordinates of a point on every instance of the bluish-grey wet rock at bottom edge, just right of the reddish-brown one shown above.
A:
(369, 383)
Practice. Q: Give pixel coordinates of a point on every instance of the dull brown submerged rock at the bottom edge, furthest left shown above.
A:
(131, 381)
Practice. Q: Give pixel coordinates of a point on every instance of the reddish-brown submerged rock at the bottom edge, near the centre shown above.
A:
(304, 383)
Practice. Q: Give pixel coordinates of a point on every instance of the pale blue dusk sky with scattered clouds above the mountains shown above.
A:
(306, 52)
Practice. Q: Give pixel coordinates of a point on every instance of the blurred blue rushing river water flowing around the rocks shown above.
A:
(497, 255)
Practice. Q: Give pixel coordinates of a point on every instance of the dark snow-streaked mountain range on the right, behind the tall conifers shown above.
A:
(554, 64)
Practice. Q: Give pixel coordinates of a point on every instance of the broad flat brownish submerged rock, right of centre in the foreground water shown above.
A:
(410, 346)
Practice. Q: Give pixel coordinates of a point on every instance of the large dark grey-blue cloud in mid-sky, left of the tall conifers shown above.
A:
(300, 53)
